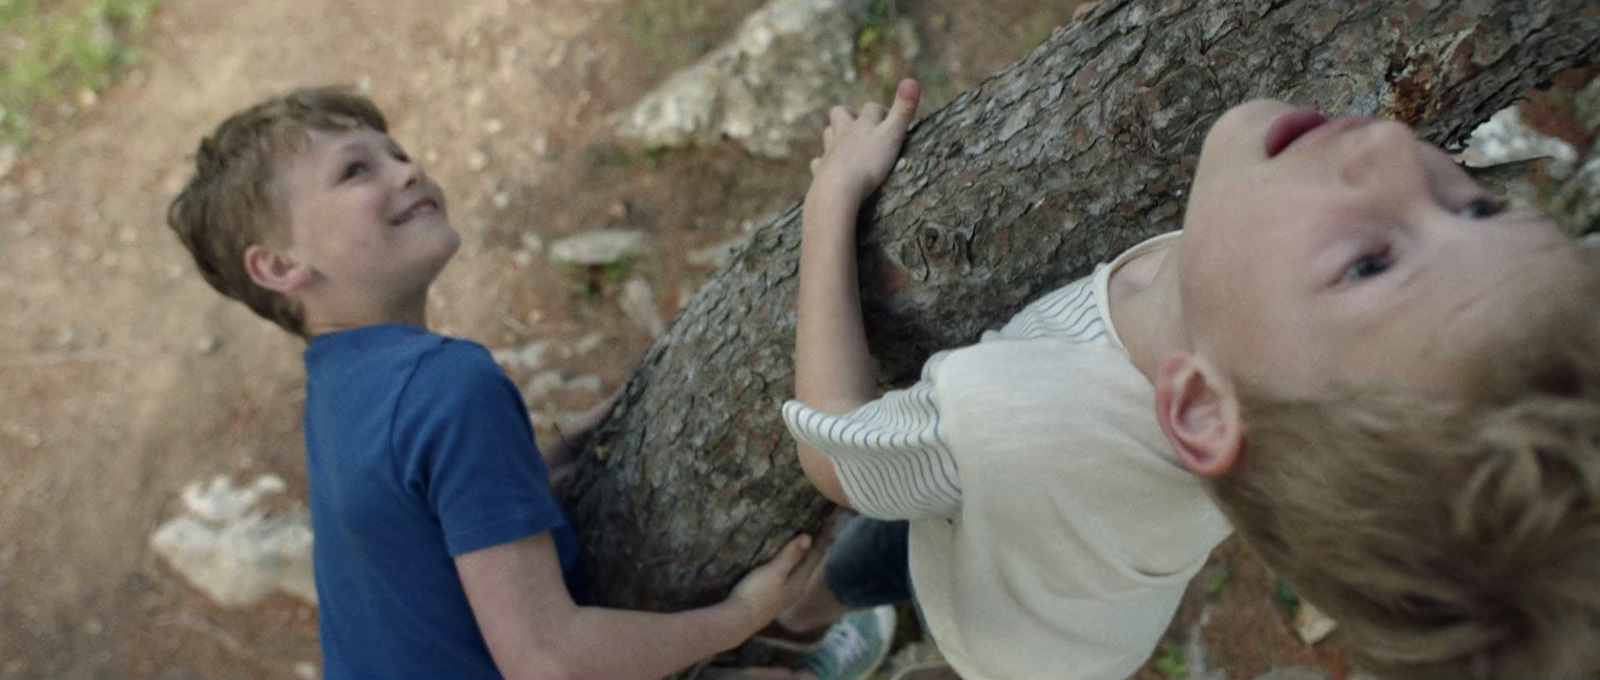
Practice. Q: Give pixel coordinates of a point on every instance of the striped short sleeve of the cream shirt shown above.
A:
(892, 455)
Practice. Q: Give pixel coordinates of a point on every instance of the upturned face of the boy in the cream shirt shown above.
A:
(1353, 254)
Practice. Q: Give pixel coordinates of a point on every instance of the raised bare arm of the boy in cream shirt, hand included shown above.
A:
(833, 367)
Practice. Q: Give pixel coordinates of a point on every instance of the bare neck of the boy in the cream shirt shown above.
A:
(1148, 310)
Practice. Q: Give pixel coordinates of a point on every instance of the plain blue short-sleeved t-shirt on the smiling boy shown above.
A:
(418, 450)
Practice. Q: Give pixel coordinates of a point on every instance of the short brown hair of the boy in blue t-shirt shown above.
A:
(234, 199)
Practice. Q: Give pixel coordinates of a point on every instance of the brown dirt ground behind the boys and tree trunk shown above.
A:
(124, 378)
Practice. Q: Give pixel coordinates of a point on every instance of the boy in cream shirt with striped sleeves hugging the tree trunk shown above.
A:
(1047, 494)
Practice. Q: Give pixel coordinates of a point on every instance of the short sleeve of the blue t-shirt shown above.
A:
(466, 450)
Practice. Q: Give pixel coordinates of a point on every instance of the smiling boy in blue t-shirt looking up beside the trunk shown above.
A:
(441, 550)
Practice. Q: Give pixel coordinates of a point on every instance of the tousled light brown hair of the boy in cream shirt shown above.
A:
(1450, 538)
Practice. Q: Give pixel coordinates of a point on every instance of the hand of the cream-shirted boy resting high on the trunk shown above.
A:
(860, 150)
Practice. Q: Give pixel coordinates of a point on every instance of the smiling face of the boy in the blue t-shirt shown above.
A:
(367, 223)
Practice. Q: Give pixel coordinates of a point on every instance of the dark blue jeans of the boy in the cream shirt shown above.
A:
(870, 564)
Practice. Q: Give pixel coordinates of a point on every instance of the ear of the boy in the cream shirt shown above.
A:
(1199, 414)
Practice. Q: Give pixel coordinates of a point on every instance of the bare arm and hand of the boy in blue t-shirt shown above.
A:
(537, 631)
